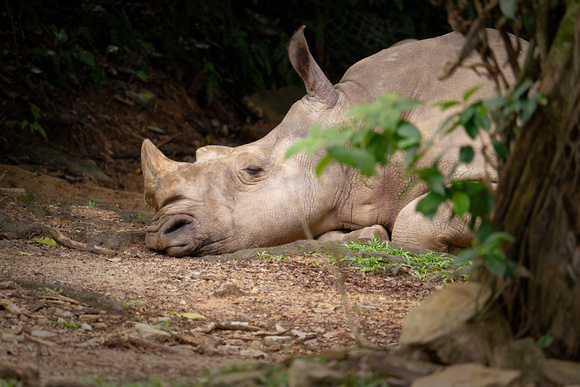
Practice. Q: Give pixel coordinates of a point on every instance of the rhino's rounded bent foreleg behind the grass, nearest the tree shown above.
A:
(443, 233)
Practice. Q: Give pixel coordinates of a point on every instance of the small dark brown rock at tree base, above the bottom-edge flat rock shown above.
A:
(523, 354)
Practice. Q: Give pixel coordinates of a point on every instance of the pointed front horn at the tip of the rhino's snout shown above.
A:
(154, 165)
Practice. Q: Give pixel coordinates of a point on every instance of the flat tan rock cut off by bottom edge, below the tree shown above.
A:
(470, 374)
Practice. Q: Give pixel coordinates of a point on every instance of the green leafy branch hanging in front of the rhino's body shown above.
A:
(375, 132)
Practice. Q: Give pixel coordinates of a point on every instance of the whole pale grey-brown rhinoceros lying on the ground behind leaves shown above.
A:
(250, 196)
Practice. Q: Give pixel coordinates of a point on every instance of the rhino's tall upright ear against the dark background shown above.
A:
(317, 84)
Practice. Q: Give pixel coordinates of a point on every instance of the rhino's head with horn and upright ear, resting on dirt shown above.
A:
(248, 196)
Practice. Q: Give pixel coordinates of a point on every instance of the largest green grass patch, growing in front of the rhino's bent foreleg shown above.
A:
(424, 267)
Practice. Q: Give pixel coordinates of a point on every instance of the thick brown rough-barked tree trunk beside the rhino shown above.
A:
(539, 203)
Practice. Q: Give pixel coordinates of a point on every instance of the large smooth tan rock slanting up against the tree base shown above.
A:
(443, 312)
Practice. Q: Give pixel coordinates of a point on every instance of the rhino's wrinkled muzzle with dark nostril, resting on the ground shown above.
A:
(172, 234)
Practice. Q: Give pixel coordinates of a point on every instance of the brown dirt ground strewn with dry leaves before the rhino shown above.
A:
(206, 312)
